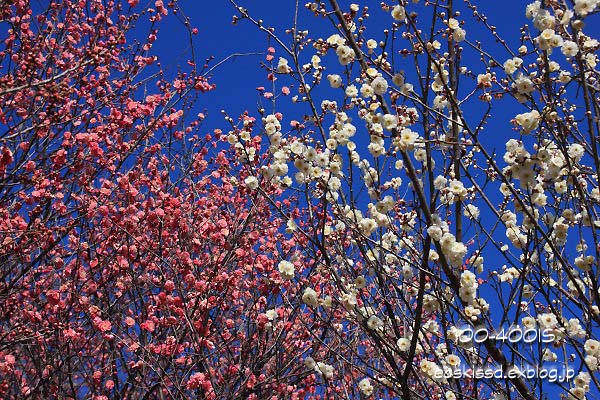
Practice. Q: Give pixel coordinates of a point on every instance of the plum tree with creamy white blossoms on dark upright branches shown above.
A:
(435, 256)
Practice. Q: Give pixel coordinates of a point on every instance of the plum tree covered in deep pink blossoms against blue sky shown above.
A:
(133, 263)
